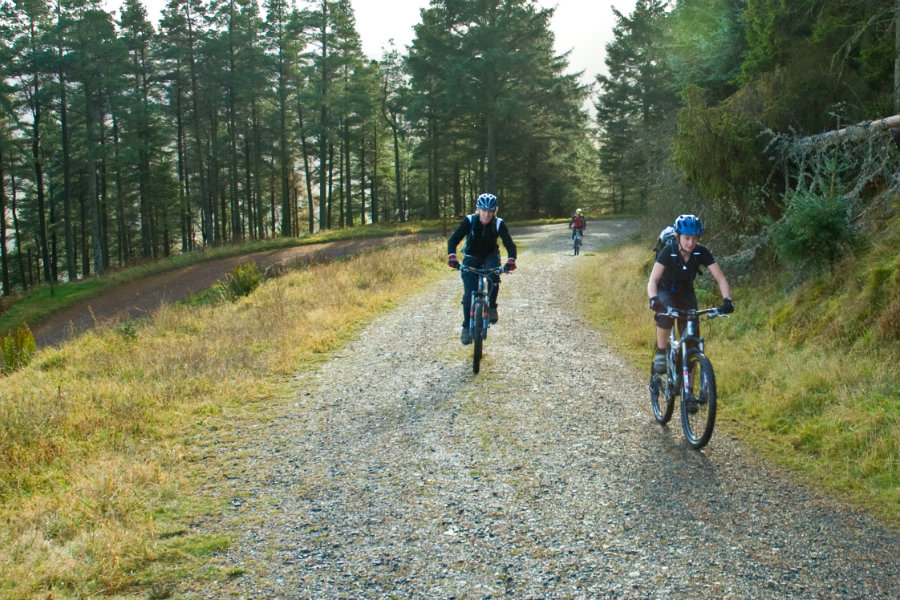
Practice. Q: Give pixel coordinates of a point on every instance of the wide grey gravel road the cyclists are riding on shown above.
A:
(397, 473)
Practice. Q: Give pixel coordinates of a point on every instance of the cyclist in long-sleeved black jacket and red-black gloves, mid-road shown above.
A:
(481, 231)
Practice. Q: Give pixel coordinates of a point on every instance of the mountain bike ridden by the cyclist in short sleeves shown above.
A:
(688, 373)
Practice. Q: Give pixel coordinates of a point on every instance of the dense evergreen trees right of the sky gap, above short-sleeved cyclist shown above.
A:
(754, 81)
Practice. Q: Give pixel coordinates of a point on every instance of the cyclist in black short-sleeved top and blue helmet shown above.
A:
(672, 280)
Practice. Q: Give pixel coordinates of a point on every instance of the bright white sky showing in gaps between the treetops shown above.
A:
(582, 26)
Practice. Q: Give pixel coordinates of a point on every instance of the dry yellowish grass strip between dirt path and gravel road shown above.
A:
(99, 440)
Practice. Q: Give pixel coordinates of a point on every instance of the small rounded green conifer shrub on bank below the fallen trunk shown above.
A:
(814, 231)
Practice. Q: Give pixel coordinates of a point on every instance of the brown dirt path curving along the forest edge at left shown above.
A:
(137, 298)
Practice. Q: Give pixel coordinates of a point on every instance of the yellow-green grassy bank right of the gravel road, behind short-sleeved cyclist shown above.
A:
(807, 372)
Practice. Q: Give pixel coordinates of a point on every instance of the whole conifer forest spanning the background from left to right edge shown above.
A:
(124, 140)
